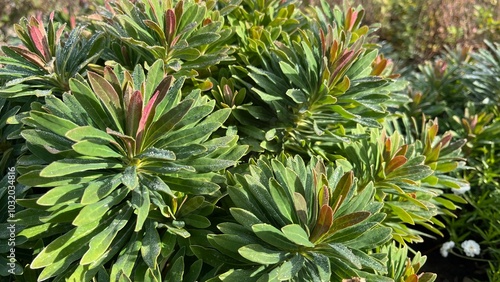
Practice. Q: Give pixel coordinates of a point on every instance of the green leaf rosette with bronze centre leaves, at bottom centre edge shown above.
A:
(298, 222)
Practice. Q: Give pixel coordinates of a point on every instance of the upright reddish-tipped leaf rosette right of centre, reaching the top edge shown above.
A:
(312, 89)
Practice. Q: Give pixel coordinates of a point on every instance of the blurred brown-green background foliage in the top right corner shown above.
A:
(418, 30)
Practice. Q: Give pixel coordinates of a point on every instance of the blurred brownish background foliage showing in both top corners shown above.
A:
(414, 30)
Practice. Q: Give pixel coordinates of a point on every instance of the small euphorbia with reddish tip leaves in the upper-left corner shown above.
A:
(46, 60)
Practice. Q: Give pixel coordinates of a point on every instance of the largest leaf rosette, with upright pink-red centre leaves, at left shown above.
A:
(119, 165)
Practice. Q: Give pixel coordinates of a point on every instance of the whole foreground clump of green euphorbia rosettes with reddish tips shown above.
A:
(132, 173)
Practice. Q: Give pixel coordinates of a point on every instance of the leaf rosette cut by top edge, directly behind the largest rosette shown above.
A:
(189, 36)
